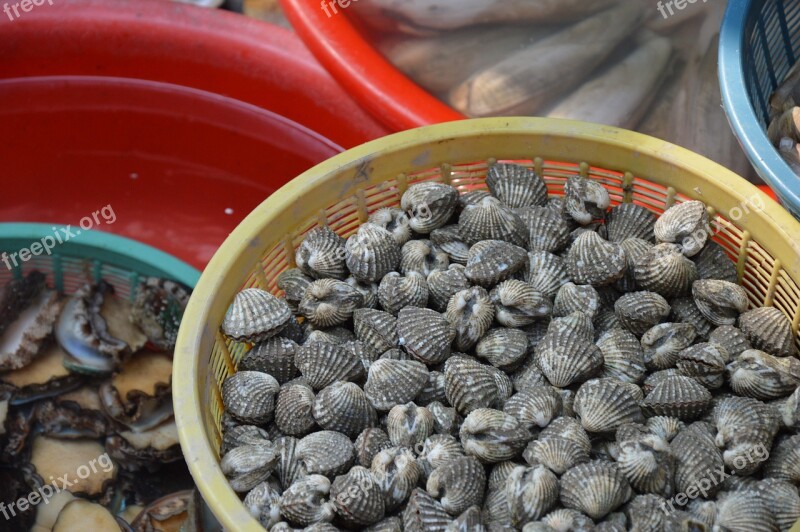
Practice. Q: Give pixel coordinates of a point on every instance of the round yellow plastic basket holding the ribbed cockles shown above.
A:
(344, 190)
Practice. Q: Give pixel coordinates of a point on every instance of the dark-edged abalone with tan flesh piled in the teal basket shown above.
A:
(87, 434)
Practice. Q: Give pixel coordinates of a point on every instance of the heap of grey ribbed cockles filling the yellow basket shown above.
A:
(505, 360)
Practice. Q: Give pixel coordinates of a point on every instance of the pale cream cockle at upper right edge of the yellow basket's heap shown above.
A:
(685, 224)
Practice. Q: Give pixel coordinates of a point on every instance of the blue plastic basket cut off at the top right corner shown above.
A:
(759, 43)
